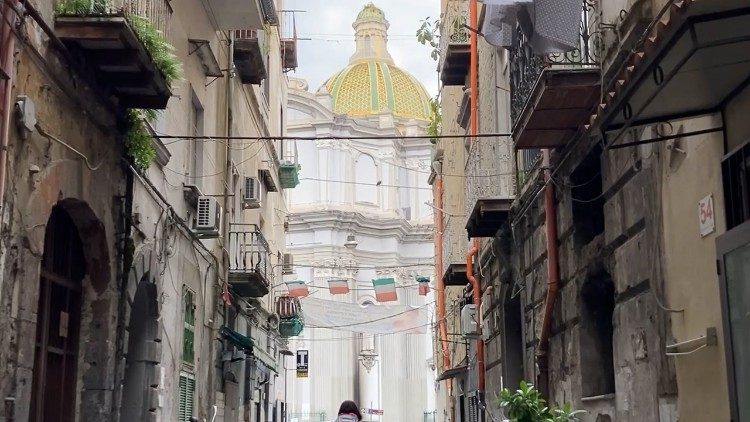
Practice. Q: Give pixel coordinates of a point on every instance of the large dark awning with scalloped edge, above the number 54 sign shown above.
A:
(692, 63)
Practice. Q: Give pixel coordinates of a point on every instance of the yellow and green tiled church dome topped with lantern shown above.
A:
(372, 84)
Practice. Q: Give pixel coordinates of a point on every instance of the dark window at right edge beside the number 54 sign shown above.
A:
(735, 169)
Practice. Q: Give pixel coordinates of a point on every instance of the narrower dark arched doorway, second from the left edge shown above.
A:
(141, 357)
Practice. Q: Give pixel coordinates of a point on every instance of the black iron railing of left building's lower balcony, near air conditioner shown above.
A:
(249, 251)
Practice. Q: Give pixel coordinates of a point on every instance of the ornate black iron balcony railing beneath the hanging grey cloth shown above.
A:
(526, 67)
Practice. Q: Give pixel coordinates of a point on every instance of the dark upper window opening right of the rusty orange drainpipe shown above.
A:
(588, 202)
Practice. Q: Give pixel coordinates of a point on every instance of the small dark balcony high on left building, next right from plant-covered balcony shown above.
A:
(250, 55)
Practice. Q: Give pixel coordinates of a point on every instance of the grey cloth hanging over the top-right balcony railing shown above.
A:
(551, 26)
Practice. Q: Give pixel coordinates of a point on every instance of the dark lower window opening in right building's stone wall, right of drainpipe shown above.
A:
(597, 363)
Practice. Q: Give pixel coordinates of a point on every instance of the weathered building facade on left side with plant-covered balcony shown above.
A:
(124, 287)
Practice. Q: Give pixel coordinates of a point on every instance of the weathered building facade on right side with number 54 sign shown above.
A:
(613, 280)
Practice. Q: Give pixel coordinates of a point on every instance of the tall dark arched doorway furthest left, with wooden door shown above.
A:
(53, 394)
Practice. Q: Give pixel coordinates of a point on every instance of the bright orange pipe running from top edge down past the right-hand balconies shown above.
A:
(473, 128)
